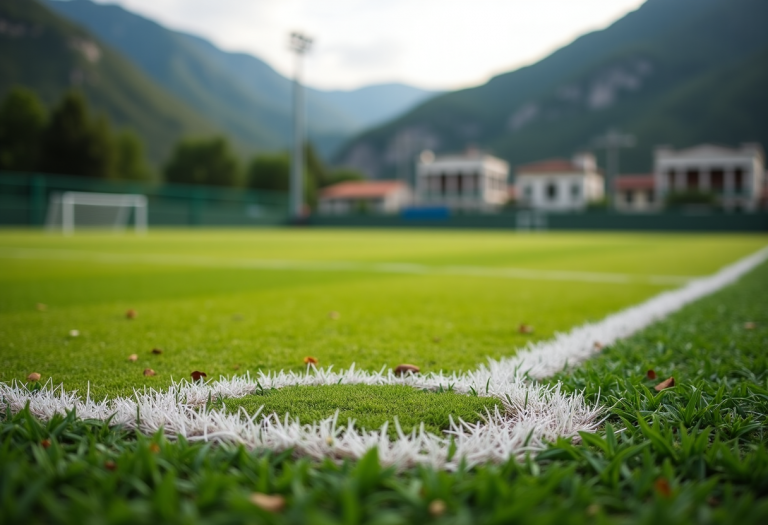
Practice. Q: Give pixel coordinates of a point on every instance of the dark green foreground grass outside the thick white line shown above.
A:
(695, 453)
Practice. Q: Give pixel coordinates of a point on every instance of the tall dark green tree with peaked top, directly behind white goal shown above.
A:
(74, 145)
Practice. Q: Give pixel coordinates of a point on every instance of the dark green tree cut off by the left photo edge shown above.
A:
(22, 123)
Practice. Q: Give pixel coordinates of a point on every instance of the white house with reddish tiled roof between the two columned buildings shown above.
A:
(559, 184)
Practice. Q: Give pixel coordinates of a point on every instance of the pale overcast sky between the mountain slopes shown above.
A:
(440, 44)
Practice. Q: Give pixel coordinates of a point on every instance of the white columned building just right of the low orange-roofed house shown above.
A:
(473, 181)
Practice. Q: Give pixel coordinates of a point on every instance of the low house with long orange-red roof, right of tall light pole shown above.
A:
(382, 196)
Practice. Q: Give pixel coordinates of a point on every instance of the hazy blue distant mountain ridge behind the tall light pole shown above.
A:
(239, 92)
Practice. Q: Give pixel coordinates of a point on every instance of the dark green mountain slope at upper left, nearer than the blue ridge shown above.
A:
(50, 55)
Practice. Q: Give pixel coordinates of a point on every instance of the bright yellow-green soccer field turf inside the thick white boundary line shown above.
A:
(234, 301)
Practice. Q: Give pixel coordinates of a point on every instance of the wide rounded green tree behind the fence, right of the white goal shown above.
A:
(203, 161)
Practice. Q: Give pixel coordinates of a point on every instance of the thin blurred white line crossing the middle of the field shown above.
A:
(343, 266)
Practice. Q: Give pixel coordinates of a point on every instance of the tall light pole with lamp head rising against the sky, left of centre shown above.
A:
(301, 45)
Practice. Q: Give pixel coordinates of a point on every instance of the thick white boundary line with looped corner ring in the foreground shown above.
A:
(532, 415)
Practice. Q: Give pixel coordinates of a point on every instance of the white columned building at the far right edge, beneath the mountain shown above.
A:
(735, 176)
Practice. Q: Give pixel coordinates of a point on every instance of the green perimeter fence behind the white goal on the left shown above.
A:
(24, 200)
